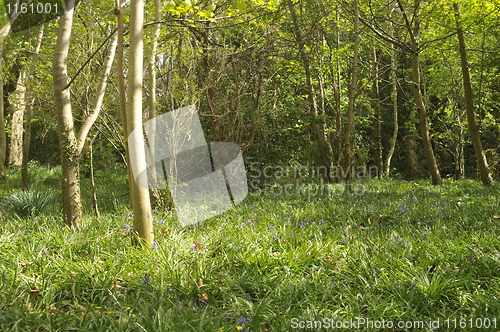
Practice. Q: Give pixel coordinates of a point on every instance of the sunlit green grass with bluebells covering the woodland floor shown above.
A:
(395, 250)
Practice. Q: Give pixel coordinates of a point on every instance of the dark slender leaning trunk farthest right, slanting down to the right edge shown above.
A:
(469, 105)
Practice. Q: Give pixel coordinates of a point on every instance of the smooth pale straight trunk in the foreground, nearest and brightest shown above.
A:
(140, 196)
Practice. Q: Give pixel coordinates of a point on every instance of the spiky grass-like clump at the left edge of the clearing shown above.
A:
(28, 203)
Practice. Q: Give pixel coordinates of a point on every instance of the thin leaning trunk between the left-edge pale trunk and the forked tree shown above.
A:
(29, 111)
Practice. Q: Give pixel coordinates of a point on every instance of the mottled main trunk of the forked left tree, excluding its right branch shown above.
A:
(72, 207)
